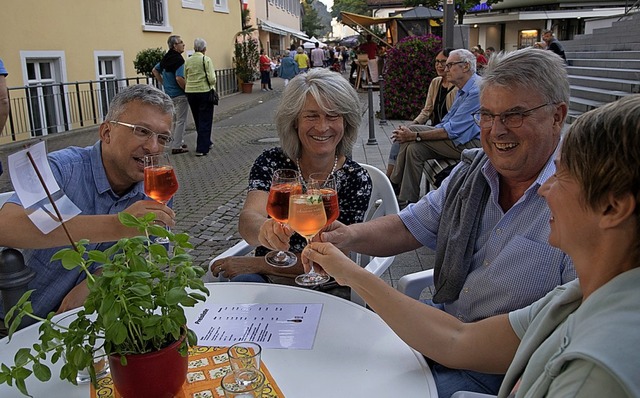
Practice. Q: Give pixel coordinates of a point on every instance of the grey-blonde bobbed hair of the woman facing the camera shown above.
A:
(334, 95)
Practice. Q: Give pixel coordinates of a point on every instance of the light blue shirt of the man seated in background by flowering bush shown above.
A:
(458, 122)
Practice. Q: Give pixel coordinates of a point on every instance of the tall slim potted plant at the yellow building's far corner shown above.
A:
(246, 55)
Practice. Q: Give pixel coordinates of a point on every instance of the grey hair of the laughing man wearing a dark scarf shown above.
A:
(530, 70)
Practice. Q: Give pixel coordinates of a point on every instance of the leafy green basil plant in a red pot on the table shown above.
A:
(134, 312)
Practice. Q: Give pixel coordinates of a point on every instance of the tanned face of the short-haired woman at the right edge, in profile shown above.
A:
(573, 225)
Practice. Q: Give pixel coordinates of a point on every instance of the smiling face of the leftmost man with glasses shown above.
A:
(122, 151)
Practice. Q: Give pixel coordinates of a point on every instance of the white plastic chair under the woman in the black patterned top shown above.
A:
(383, 201)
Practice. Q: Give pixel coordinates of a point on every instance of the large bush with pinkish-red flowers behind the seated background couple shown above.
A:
(409, 69)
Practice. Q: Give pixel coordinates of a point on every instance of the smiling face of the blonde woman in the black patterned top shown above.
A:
(319, 132)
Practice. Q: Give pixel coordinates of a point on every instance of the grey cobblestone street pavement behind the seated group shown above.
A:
(213, 188)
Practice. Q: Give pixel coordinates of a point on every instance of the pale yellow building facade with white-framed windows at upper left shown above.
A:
(63, 41)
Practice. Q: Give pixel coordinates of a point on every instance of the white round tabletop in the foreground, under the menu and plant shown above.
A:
(355, 354)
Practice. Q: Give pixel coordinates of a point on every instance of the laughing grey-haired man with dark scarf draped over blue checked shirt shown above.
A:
(487, 224)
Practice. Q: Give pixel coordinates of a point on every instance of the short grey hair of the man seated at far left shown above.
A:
(144, 93)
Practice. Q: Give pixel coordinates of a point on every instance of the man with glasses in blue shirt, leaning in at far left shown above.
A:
(102, 180)
